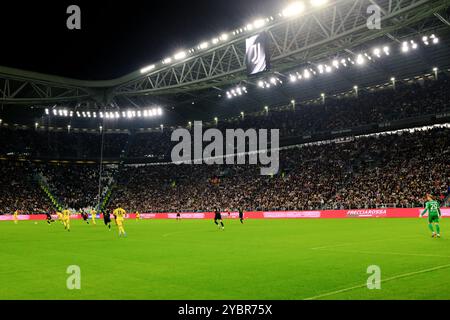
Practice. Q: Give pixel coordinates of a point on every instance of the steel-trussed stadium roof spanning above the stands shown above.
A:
(194, 85)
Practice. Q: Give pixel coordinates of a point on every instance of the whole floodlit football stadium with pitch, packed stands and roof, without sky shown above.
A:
(303, 155)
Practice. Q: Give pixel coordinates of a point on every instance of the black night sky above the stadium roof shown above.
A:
(117, 37)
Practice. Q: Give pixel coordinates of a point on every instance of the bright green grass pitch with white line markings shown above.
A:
(263, 259)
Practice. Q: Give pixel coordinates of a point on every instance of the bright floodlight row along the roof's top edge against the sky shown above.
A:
(294, 9)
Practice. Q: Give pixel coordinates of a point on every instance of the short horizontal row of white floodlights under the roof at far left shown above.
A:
(129, 114)
